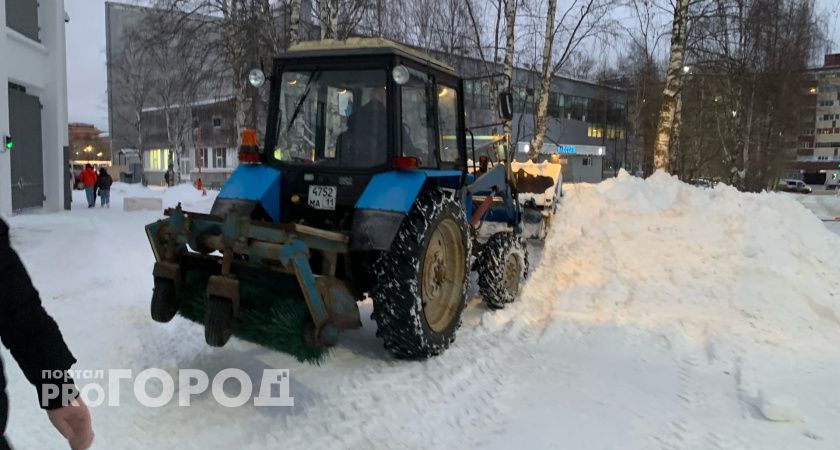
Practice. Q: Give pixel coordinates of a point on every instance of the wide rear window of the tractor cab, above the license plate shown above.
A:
(332, 118)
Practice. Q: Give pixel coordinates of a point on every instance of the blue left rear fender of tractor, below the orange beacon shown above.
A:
(250, 187)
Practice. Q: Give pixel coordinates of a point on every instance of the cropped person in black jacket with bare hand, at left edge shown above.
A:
(36, 343)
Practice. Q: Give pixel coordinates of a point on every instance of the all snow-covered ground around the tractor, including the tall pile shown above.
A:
(657, 315)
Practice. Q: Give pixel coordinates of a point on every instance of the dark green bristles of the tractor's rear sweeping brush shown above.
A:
(269, 315)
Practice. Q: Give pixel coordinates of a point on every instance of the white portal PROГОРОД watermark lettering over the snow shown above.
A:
(105, 387)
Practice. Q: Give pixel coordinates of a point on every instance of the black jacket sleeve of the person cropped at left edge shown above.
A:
(26, 329)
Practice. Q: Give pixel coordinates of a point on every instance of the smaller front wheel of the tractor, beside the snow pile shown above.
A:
(502, 269)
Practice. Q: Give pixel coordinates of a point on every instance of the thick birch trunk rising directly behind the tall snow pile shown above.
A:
(673, 86)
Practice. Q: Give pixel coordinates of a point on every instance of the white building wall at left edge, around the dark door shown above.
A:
(41, 67)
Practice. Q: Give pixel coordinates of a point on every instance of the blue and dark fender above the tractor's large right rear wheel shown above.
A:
(386, 201)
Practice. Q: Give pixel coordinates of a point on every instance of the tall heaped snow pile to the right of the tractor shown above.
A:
(691, 264)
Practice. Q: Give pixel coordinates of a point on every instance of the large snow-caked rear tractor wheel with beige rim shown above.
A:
(421, 287)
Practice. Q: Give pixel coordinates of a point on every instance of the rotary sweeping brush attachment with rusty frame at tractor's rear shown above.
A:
(243, 276)
